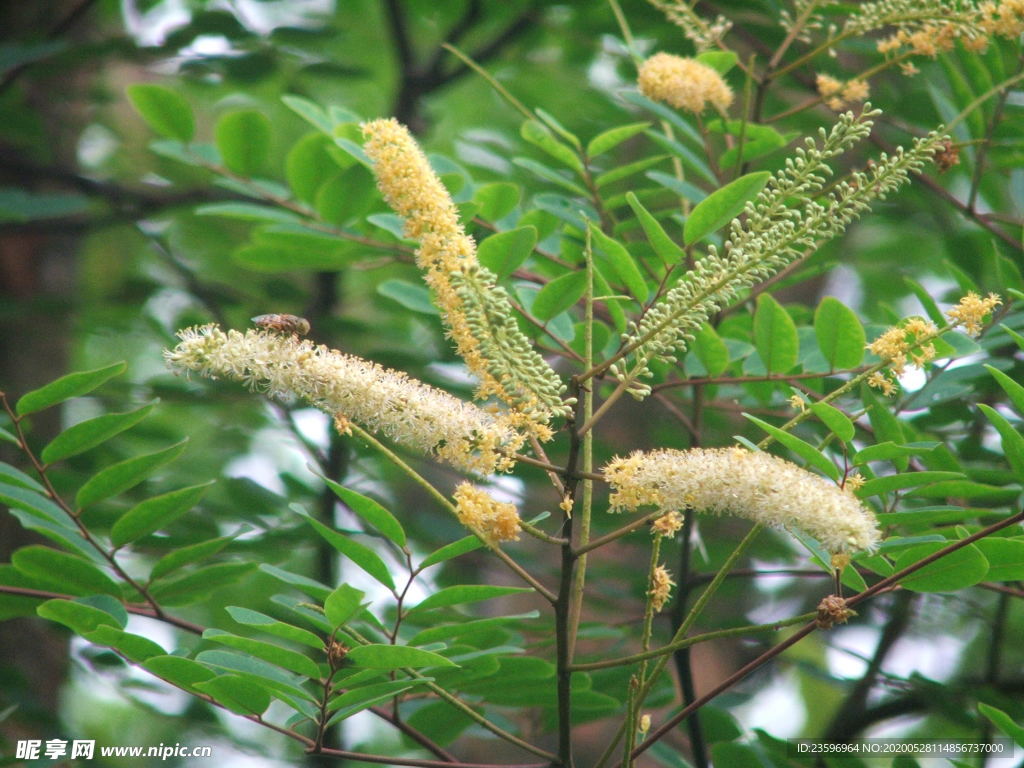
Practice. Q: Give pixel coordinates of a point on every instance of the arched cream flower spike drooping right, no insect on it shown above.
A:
(752, 485)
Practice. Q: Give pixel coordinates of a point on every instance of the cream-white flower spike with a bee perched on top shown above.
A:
(411, 413)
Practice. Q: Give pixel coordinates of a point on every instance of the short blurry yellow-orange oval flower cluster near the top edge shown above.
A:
(684, 83)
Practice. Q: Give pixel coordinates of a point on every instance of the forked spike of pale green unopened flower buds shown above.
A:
(789, 218)
